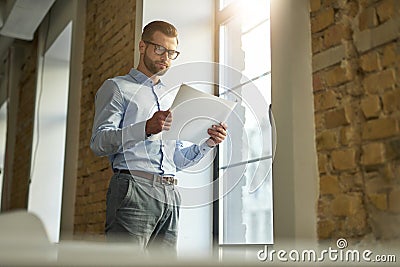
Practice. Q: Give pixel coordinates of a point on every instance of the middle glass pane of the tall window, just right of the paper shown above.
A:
(250, 131)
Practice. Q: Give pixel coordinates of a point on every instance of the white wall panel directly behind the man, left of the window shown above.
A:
(196, 41)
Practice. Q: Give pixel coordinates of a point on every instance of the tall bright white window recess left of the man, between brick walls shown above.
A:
(45, 192)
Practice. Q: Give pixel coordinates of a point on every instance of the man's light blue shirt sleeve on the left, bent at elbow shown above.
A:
(107, 132)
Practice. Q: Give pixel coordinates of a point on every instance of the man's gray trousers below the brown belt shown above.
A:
(142, 212)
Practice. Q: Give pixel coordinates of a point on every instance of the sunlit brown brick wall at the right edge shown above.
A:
(356, 83)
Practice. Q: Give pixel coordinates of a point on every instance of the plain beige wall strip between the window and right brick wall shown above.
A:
(295, 165)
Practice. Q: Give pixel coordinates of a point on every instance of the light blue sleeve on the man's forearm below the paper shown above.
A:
(185, 157)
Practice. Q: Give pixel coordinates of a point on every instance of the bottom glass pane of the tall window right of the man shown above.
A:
(247, 213)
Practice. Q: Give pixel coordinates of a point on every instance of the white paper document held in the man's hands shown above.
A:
(193, 112)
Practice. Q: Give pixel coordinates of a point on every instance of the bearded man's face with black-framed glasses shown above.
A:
(158, 64)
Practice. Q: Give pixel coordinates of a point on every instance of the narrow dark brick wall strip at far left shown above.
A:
(24, 132)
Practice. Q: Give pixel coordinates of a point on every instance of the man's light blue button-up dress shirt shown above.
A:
(122, 106)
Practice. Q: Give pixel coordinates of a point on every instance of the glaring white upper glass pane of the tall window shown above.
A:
(256, 45)
